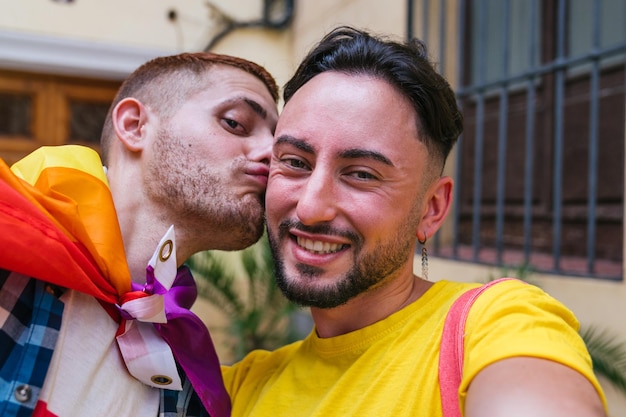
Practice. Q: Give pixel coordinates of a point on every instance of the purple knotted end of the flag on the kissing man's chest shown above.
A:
(189, 339)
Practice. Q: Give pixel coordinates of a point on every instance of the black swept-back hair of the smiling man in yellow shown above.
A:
(406, 66)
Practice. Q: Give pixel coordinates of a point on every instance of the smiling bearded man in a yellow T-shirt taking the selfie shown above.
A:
(355, 179)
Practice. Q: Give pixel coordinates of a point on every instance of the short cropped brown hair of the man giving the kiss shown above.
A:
(165, 82)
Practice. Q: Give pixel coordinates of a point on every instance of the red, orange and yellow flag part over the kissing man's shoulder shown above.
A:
(60, 209)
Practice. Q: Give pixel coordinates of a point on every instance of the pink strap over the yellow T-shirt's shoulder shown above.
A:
(452, 348)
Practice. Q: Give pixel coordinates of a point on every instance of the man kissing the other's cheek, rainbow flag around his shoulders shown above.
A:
(94, 296)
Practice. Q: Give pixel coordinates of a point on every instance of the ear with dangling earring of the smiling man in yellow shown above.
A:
(436, 207)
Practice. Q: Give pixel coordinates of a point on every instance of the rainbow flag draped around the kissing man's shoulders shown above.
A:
(58, 218)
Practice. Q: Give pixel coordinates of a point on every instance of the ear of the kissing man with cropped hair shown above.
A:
(129, 118)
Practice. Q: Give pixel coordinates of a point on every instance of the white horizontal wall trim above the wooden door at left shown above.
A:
(66, 56)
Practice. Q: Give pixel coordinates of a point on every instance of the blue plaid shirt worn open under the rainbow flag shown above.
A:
(30, 319)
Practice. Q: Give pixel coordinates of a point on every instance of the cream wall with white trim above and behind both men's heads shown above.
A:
(111, 38)
